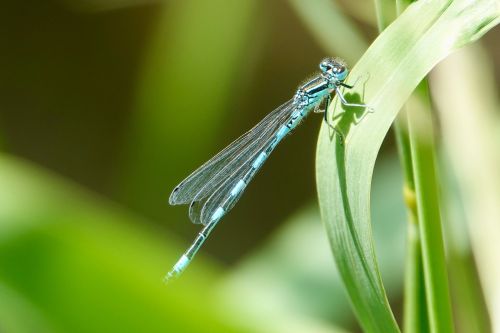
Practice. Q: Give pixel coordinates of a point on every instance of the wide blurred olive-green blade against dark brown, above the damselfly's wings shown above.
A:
(186, 79)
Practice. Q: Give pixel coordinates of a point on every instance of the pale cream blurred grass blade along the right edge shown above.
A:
(469, 114)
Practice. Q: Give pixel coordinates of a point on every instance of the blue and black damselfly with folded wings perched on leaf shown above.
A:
(215, 187)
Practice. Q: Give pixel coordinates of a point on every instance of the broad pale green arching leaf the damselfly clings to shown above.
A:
(390, 70)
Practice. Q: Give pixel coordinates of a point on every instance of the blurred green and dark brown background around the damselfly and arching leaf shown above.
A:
(105, 105)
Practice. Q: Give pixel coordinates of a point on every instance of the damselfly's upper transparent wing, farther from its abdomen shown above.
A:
(210, 175)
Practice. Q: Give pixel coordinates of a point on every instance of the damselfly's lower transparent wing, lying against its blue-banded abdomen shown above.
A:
(202, 208)
